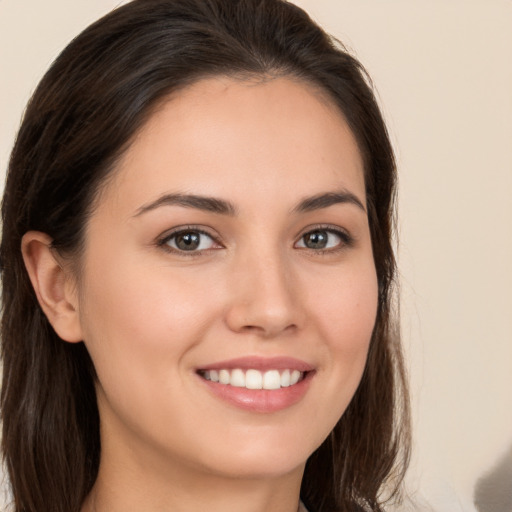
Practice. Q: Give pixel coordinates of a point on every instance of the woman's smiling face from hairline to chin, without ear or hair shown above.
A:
(232, 244)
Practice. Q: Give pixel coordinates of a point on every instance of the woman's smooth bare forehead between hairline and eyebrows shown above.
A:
(280, 137)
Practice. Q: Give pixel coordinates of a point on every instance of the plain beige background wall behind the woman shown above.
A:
(443, 71)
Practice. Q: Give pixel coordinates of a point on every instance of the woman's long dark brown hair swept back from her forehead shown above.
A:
(83, 115)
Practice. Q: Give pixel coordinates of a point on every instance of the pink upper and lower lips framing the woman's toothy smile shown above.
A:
(260, 400)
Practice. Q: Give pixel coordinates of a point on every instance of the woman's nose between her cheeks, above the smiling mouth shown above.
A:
(264, 299)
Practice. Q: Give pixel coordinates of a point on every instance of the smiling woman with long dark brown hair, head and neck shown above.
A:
(199, 317)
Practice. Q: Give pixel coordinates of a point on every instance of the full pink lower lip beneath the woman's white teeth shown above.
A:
(261, 400)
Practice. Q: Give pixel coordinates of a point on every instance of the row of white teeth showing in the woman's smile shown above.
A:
(254, 379)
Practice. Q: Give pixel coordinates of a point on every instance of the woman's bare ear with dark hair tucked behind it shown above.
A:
(55, 288)
